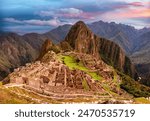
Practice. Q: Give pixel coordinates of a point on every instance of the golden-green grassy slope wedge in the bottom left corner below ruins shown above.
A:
(16, 95)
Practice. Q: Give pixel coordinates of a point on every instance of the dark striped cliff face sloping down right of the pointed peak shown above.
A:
(112, 54)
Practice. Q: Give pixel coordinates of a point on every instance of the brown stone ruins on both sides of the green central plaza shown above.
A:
(50, 74)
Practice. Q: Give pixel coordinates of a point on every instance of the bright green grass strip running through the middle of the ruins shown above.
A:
(73, 64)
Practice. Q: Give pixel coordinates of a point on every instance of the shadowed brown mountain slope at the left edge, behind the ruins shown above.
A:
(14, 52)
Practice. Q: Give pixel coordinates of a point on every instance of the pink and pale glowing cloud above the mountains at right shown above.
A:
(129, 15)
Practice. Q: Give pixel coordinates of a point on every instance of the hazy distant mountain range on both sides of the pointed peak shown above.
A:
(135, 43)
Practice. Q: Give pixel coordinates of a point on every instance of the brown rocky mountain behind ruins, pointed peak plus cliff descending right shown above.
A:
(83, 40)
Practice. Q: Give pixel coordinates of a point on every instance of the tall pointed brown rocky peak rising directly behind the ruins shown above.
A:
(82, 39)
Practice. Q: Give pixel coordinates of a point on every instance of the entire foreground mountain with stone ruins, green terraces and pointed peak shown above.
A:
(83, 68)
